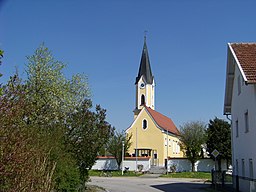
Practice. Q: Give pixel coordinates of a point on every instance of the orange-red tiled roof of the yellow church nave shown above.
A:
(163, 121)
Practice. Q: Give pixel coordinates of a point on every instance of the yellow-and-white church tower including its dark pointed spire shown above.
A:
(145, 84)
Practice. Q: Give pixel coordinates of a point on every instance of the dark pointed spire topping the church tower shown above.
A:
(145, 68)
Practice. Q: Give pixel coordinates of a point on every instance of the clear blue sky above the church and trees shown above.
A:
(187, 43)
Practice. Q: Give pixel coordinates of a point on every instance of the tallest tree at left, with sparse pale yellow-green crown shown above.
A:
(53, 98)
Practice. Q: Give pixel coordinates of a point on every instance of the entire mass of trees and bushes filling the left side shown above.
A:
(49, 137)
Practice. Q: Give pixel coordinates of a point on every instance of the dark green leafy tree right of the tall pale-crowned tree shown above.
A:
(88, 132)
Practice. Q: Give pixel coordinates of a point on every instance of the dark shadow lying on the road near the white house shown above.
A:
(182, 187)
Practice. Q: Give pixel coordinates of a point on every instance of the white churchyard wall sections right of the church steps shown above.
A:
(202, 165)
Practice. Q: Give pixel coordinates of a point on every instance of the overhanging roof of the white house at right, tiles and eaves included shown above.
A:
(242, 55)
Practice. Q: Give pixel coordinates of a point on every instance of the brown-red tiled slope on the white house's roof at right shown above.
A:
(246, 55)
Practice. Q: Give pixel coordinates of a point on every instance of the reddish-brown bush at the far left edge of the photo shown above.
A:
(22, 162)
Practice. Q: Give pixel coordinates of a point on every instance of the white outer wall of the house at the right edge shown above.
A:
(243, 144)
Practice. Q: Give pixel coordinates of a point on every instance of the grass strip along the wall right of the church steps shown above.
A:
(195, 175)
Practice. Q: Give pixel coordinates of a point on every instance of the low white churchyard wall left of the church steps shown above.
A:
(109, 163)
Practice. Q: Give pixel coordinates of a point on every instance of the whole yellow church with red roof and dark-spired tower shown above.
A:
(154, 135)
